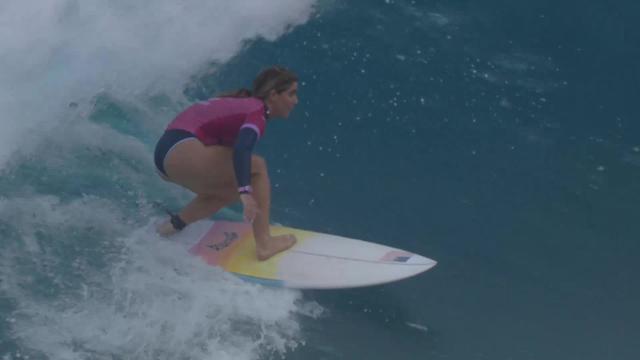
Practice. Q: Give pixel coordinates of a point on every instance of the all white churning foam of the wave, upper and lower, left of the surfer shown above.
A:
(148, 299)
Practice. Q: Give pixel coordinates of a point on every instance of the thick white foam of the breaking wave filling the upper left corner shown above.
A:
(53, 52)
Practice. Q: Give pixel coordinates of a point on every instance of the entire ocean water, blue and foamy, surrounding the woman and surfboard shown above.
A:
(496, 137)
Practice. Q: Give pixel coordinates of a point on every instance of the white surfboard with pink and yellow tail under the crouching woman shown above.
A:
(316, 261)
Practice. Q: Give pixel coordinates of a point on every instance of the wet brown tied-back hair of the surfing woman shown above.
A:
(273, 78)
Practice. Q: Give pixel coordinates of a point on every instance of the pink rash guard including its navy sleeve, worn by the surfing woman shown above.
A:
(227, 121)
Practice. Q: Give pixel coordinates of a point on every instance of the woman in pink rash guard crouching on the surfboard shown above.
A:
(208, 149)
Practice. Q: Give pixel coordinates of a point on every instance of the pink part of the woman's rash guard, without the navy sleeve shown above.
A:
(218, 121)
